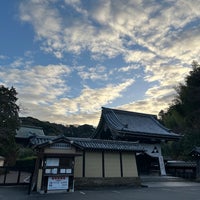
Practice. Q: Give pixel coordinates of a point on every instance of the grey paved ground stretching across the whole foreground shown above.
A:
(154, 190)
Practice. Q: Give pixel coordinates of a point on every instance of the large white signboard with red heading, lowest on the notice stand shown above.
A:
(58, 183)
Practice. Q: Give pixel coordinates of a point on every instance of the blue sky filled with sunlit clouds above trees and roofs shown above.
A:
(69, 58)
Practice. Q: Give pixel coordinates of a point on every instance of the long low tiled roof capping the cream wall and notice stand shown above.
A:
(89, 144)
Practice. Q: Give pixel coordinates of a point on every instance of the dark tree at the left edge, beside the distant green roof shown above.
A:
(9, 123)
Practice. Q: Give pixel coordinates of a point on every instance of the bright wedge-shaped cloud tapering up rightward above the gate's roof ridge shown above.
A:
(90, 100)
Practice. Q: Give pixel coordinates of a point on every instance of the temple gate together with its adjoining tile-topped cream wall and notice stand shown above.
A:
(124, 146)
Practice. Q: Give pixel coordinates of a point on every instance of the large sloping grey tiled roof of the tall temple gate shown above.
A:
(133, 123)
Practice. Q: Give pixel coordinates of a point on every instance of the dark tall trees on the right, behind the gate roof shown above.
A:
(183, 116)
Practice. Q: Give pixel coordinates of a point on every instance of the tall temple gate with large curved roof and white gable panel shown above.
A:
(120, 125)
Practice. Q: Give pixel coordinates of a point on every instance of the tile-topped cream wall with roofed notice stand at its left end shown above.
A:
(64, 163)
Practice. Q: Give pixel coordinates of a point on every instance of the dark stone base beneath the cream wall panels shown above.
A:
(84, 183)
